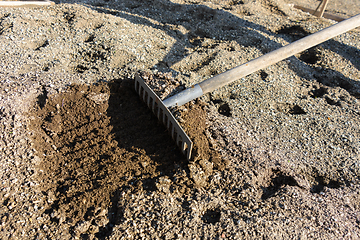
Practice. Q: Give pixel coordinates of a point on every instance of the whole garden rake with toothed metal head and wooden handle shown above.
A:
(160, 108)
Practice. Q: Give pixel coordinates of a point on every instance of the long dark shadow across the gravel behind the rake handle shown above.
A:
(203, 23)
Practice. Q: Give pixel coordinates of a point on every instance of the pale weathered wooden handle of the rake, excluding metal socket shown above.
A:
(280, 54)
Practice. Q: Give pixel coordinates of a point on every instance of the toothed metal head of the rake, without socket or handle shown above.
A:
(164, 115)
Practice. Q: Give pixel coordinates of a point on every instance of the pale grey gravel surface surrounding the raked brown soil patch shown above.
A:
(290, 132)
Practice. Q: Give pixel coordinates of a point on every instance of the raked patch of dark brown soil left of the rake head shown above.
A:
(95, 141)
